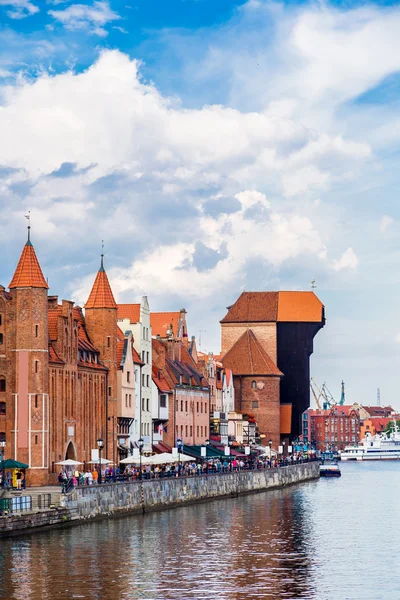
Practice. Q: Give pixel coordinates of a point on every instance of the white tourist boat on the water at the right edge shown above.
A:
(377, 447)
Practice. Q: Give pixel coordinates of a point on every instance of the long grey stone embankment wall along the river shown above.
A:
(117, 499)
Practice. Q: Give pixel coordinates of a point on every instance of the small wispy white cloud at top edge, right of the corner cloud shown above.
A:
(87, 18)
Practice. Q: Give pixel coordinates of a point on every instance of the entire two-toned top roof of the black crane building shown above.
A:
(290, 307)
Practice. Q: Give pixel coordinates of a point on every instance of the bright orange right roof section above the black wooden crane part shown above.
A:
(302, 307)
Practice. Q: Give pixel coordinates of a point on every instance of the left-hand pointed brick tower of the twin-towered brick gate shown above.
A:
(28, 419)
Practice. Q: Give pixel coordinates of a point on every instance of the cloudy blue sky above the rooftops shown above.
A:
(215, 146)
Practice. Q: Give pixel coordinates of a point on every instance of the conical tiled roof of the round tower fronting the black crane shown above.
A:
(248, 357)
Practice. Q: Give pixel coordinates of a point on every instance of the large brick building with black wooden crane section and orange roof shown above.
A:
(267, 341)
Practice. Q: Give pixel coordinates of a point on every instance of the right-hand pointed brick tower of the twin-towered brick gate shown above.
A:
(101, 326)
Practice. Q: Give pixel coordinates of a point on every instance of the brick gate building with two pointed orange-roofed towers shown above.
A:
(58, 371)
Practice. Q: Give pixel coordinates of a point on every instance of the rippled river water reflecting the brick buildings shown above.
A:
(333, 539)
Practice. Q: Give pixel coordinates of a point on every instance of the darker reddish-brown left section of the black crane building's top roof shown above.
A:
(253, 307)
